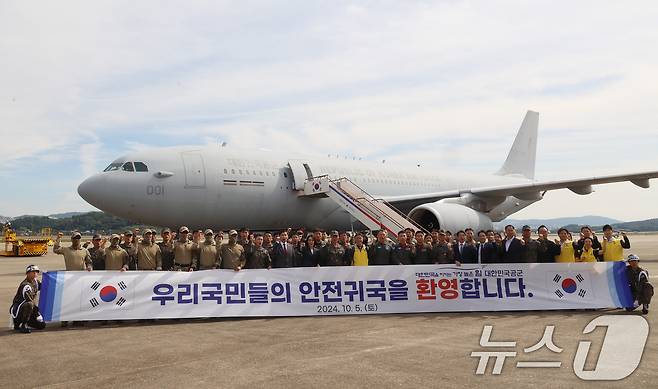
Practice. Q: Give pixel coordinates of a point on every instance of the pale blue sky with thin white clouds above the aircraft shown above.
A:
(442, 83)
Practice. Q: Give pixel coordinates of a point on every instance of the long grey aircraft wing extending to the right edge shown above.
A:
(528, 189)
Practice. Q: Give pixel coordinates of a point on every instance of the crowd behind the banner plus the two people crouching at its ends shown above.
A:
(203, 250)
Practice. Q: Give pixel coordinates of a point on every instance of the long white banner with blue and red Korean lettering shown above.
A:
(113, 295)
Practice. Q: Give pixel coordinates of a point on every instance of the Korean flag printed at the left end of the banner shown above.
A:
(100, 295)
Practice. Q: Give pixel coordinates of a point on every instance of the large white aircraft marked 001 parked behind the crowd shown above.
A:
(222, 187)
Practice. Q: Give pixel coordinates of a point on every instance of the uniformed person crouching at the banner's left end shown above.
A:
(24, 310)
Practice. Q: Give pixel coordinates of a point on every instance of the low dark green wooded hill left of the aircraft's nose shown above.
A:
(89, 222)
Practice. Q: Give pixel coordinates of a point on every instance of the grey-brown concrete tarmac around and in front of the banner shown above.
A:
(428, 350)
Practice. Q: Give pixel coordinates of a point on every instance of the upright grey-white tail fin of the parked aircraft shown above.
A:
(521, 158)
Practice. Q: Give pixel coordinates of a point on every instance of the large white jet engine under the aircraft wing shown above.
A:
(449, 217)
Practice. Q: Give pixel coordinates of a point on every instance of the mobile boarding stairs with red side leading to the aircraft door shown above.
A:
(374, 213)
